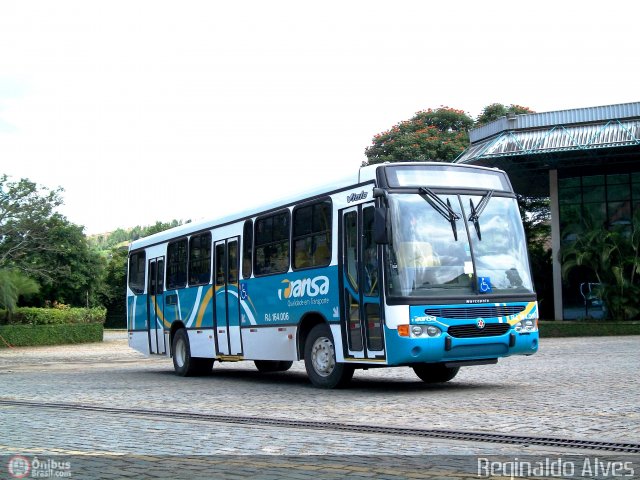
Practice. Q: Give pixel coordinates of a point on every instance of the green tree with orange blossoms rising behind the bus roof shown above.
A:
(430, 135)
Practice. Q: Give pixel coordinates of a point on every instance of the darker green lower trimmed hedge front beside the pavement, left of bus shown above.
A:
(30, 335)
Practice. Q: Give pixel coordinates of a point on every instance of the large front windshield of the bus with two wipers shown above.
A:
(453, 244)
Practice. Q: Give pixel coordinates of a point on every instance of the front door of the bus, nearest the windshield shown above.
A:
(360, 276)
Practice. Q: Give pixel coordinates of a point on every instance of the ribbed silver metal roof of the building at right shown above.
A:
(528, 146)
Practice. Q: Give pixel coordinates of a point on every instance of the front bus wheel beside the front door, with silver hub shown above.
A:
(320, 360)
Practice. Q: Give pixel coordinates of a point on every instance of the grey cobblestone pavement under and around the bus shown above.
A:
(586, 388)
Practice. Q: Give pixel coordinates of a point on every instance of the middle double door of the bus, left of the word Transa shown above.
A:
(227, 318)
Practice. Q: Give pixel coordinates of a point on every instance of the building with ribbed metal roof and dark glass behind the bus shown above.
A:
(586, 161)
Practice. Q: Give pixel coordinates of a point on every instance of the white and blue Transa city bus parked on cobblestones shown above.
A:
(407, 264)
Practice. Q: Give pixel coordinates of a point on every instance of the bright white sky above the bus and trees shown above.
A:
(146, 111)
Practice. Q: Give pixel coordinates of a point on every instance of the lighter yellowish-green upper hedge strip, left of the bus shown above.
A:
(53, 316)
